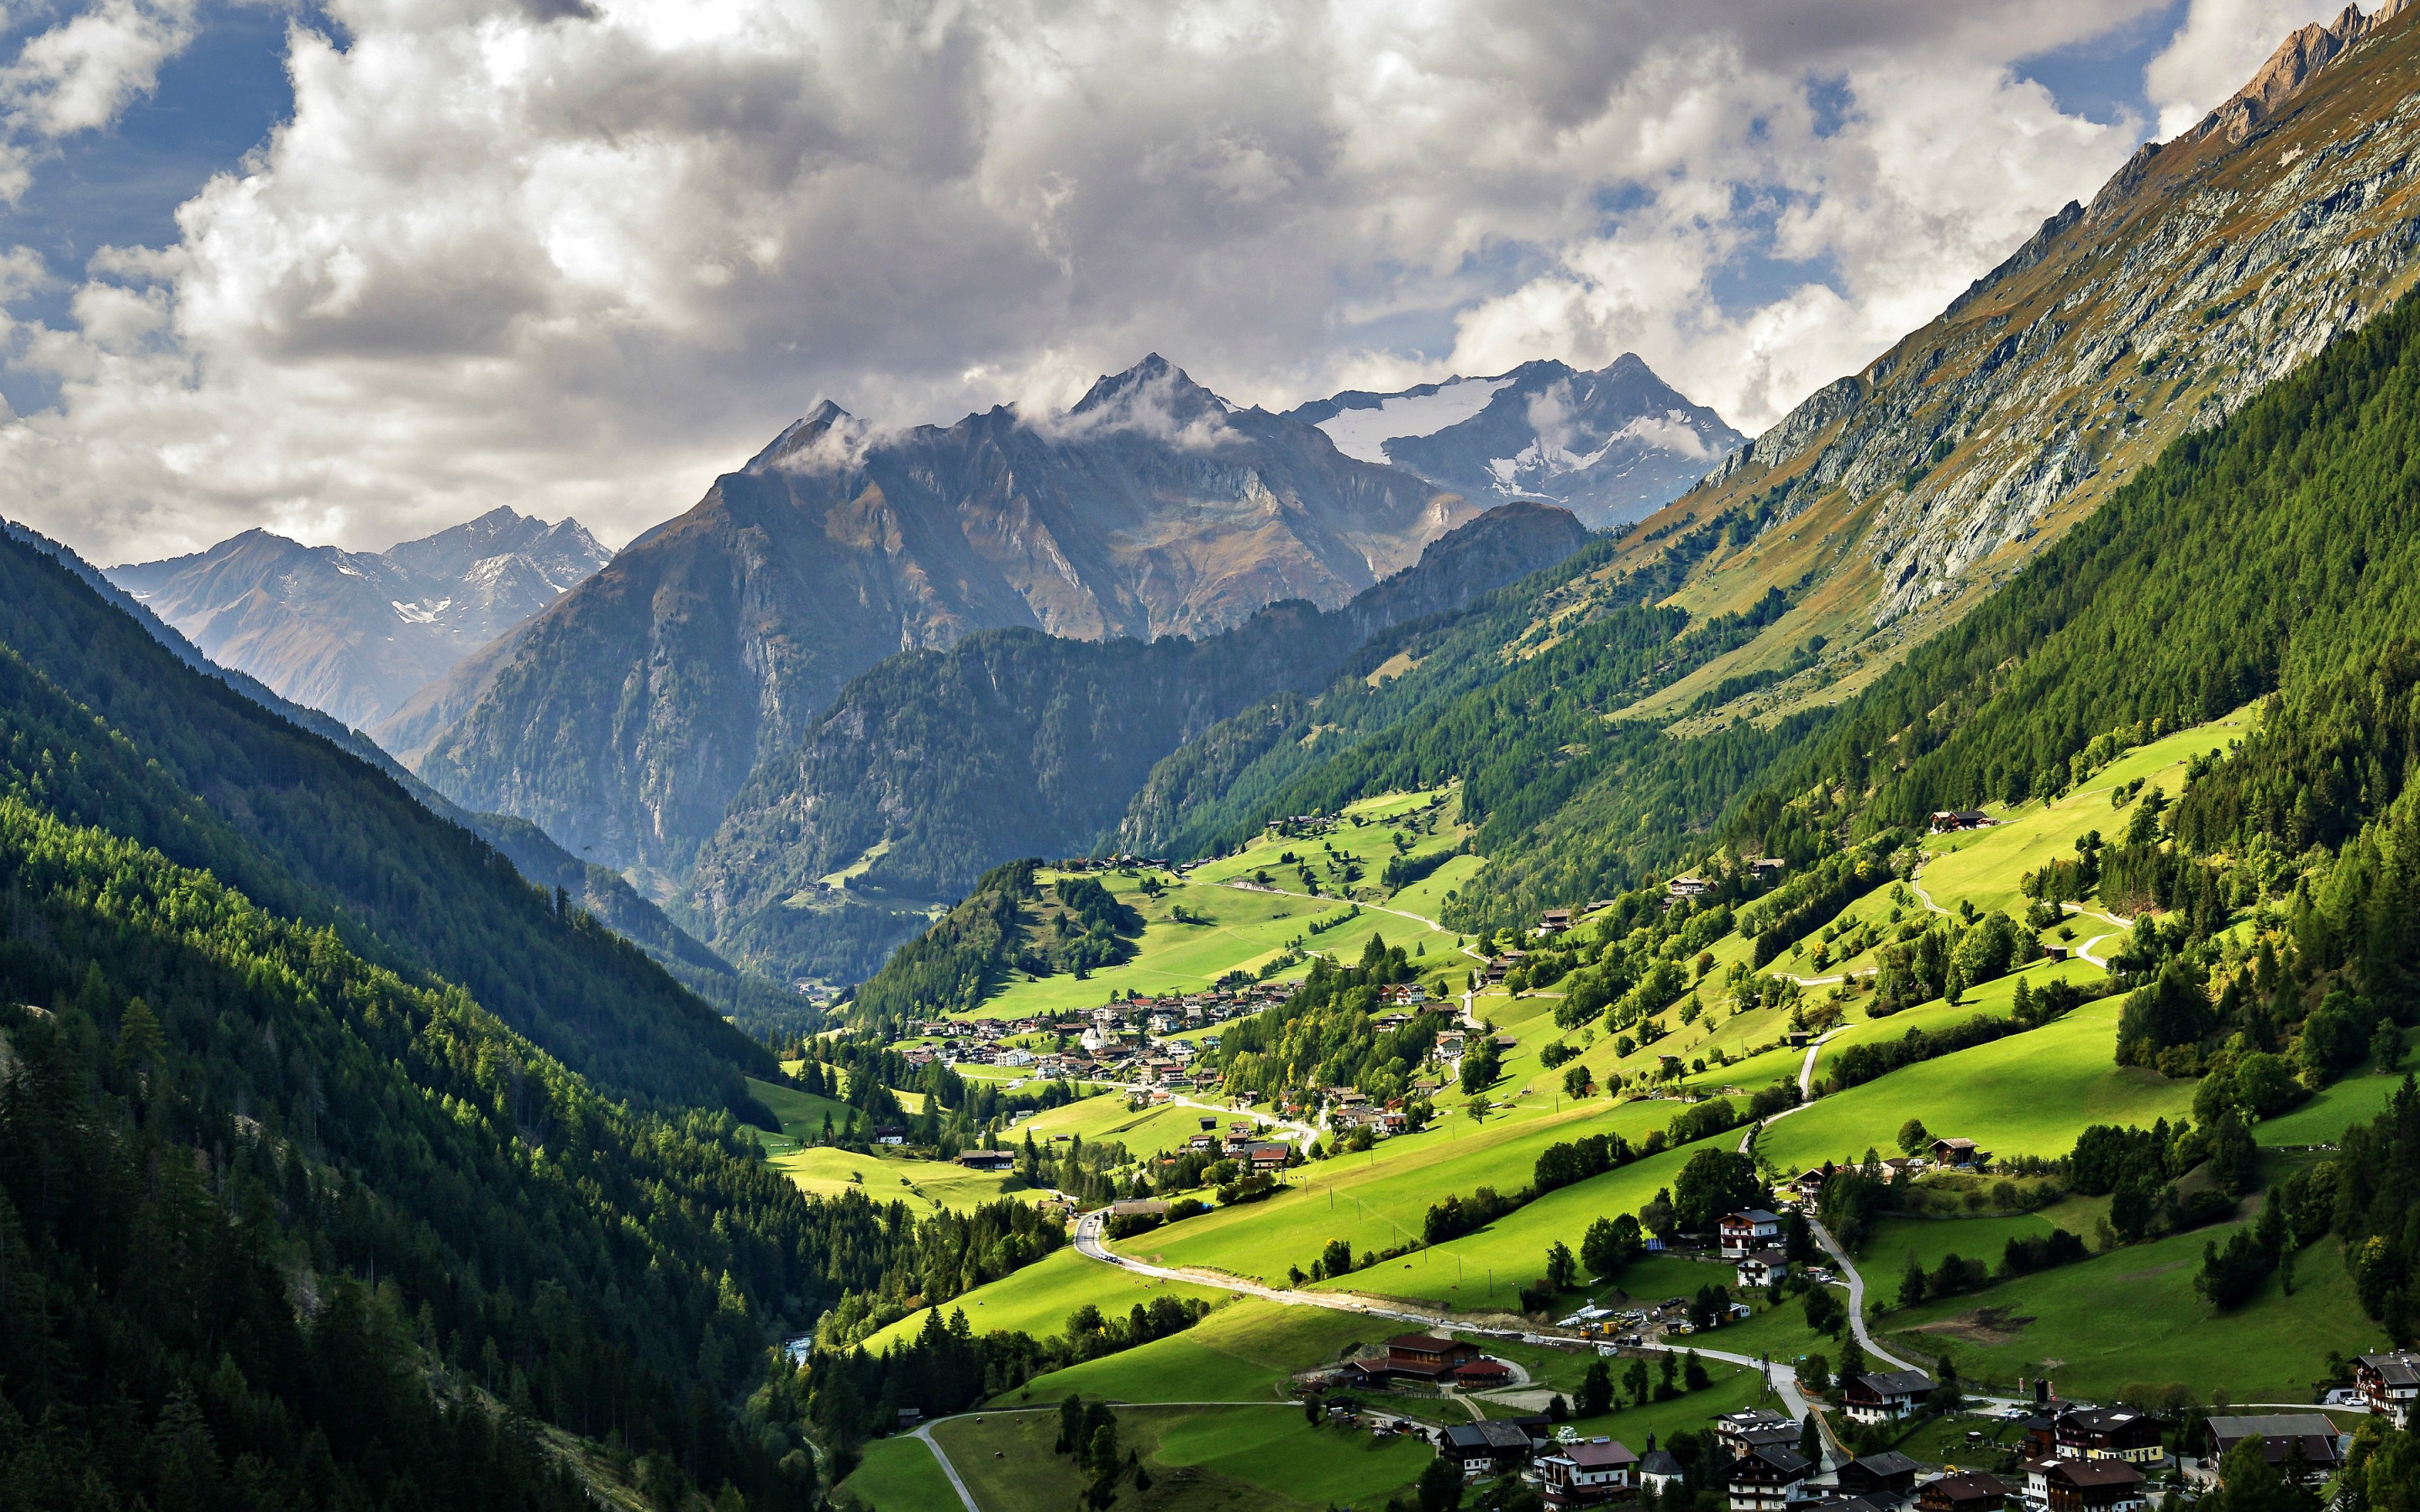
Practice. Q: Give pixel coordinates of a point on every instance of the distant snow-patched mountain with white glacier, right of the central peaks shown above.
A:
(1613, 446)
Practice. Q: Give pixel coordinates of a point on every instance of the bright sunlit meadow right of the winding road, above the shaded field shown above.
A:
(2024, 1095)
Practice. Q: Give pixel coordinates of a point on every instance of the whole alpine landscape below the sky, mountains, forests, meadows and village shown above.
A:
(1494, 945)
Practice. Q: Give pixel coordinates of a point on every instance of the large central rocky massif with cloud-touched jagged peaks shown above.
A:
(628, 717)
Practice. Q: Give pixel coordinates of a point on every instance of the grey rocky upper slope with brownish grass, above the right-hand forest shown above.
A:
(2203, 272)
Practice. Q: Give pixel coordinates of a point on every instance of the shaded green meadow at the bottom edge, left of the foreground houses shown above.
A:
(1202, 1460)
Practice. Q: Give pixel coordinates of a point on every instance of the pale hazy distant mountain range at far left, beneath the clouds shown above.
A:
(357, 633)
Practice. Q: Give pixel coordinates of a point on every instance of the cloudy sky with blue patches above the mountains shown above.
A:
(362, 270)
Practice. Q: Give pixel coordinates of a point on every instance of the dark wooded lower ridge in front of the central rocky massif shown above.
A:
(943, 763)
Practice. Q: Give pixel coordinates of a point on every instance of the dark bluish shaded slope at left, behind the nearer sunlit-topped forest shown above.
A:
(113, 729)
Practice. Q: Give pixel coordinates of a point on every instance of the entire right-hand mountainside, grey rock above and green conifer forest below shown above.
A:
(2203, 272)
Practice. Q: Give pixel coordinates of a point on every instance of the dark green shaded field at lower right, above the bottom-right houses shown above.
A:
(2133, 1315)
